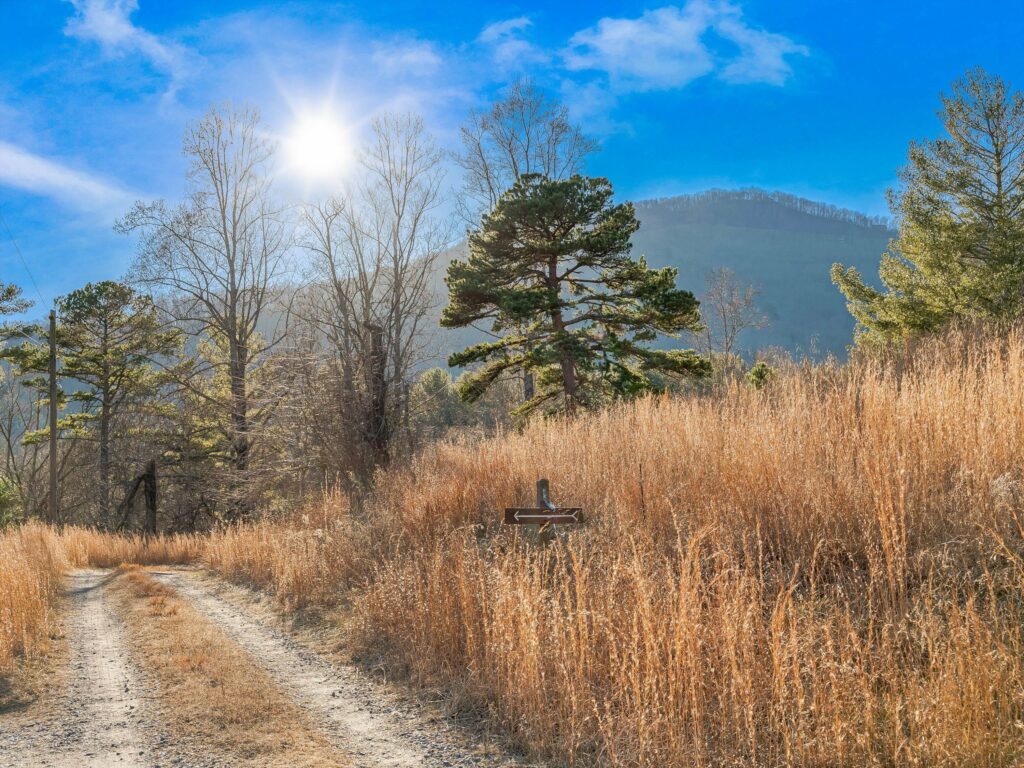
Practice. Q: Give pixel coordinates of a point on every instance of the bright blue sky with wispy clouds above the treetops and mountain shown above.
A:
(816, 99)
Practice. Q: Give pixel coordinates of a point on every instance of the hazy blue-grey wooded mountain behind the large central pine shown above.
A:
(783, 244)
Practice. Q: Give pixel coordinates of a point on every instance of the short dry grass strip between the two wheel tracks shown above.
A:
(214, 697)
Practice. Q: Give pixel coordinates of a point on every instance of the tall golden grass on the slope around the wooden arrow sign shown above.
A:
(828, 573)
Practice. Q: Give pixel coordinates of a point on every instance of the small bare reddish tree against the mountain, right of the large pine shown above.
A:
(729, 307)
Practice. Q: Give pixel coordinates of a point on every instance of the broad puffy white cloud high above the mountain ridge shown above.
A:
(671, 47)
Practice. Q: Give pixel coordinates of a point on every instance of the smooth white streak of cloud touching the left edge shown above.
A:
(24, 170)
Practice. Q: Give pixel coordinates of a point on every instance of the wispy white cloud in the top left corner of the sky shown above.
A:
(109, 24)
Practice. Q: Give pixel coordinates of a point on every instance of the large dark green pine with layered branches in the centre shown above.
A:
(550, 268)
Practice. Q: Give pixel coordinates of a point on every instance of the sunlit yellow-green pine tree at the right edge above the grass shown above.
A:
(961, 217)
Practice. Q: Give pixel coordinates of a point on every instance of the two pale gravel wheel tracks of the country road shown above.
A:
(109, 712)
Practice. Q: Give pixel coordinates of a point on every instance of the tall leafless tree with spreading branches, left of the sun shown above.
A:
(218, 262)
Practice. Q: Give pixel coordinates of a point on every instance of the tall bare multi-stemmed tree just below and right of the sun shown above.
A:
(374, 248)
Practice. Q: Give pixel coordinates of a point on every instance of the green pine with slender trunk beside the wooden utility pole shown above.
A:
(108, 340)
